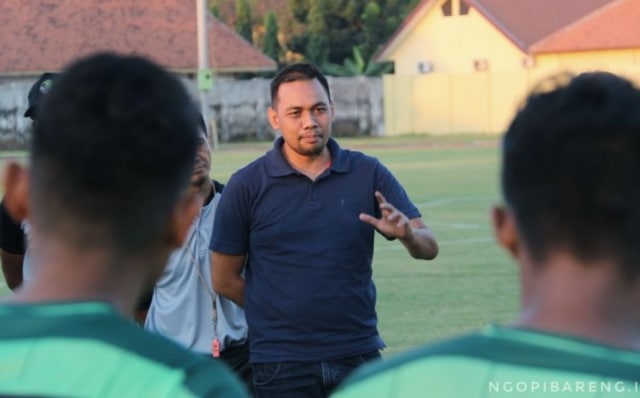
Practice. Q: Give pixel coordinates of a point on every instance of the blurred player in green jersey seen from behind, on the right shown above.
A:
(571, 221)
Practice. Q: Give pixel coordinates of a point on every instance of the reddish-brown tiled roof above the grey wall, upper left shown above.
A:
(48, 34)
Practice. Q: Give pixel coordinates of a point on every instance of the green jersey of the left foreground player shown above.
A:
(86, 349)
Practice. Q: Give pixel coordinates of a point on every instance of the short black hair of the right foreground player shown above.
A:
(571, 169)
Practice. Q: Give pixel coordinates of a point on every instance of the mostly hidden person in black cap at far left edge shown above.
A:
(12, 232)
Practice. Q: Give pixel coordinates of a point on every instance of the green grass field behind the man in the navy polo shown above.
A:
(453, 181)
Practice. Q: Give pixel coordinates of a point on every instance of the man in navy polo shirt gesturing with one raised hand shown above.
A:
(293, 244)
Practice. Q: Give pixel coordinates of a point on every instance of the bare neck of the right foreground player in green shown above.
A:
(584, 300)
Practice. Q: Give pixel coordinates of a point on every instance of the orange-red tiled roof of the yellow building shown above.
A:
(537, 26)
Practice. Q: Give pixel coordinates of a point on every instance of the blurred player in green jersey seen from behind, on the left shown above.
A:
(108, 199)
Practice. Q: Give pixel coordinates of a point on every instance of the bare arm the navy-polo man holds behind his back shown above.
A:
(226, 275)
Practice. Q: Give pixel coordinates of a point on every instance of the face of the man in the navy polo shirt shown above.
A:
(303, 113)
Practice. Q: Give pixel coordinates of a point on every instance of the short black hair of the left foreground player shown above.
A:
(112, 152)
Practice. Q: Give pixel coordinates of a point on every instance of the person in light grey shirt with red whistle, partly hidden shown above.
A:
(183, 306)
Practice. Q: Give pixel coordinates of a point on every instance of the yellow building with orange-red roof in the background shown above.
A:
(464, 65)
